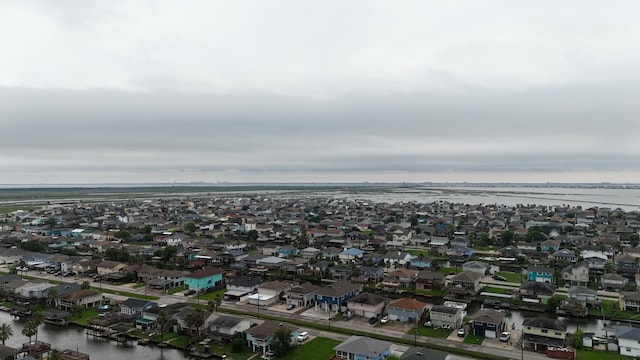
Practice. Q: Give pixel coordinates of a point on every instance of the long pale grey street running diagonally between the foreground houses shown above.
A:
(344, 325)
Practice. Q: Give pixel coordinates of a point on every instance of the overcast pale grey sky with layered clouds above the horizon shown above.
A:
(319, 91)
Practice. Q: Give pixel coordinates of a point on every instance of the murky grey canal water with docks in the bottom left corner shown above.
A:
(74, 338)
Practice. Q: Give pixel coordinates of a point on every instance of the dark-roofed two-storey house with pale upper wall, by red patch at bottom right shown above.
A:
(539, 334)
